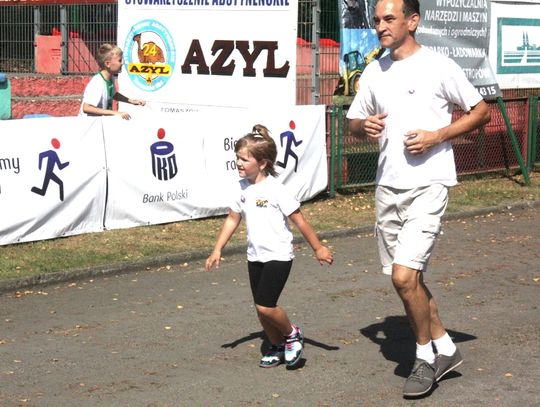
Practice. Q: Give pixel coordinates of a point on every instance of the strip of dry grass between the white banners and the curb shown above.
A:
(349, 209)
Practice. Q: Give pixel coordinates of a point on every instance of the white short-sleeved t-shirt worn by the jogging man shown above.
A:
(418, 92)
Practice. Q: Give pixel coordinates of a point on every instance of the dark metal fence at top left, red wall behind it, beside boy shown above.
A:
(34, 33)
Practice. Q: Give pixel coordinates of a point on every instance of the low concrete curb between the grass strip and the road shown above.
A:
(179, 258)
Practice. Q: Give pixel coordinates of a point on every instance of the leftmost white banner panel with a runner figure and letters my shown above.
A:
(52, 178)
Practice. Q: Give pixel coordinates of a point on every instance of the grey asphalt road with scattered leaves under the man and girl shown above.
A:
(178, 336)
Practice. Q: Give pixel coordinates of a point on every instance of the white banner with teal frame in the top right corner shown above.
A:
(515, 44)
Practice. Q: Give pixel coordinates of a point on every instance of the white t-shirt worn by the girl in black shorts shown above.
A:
(265, 207)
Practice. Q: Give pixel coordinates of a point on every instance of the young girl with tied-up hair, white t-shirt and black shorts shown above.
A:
(266, 205)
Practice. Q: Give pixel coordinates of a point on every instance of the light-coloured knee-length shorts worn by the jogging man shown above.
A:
(408, 223)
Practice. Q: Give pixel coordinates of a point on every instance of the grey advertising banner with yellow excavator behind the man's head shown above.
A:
(457, 29)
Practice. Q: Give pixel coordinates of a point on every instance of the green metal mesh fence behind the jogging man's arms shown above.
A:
(508, 143)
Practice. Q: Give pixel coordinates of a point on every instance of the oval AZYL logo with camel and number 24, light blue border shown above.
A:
(150, 55)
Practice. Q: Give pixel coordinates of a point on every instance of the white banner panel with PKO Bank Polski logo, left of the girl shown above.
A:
(156, 171)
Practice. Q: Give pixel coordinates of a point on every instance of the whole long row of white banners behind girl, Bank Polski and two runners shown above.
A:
(72, 175)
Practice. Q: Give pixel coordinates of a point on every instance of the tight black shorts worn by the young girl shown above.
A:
(267, 280)
